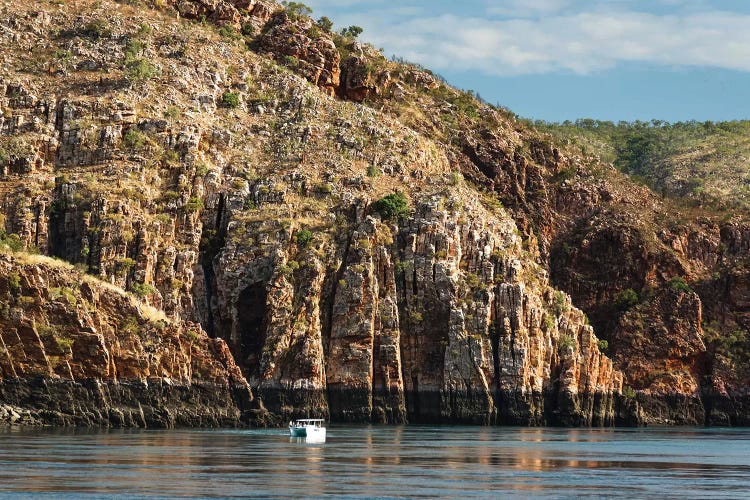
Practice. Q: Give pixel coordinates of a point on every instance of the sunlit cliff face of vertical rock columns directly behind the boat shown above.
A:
(433, 320)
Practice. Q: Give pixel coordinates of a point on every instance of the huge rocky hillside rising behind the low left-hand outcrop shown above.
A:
(372, 244)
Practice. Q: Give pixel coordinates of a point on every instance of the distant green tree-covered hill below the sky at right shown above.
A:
(705, 162)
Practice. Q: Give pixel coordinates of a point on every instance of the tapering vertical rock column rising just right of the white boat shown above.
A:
(364, 364)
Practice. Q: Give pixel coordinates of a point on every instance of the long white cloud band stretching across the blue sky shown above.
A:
(582, 42)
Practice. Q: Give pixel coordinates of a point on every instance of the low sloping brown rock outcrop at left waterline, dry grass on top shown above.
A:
(75, 351)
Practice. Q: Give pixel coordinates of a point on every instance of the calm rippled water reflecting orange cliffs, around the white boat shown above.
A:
(413, 461)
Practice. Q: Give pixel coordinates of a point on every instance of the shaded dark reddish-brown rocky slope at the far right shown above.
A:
(605, 240)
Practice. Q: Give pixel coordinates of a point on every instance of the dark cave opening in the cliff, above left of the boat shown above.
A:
(251, 315)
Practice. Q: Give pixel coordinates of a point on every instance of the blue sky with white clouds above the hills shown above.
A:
(559, 60)
